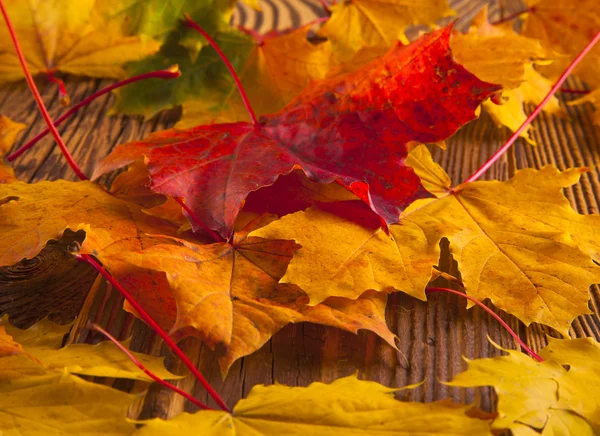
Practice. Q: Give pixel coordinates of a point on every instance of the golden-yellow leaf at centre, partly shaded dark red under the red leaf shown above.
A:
(346, 252)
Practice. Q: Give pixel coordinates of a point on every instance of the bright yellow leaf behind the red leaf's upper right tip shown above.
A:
(496, 54)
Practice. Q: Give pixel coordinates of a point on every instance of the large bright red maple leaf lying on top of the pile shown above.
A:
(352, 128)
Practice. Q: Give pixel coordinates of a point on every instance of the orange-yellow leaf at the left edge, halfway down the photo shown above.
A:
(33, 214)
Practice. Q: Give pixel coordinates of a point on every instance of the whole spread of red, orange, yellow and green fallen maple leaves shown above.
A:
(311, 206)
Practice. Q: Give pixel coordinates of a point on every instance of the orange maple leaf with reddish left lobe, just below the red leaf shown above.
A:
(230, 294)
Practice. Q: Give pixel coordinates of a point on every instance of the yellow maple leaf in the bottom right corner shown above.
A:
(543, 396)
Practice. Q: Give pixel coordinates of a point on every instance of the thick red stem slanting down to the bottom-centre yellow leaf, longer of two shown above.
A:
(145, 316)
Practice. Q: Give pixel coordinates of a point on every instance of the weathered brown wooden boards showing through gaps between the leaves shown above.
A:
(434, 335)
